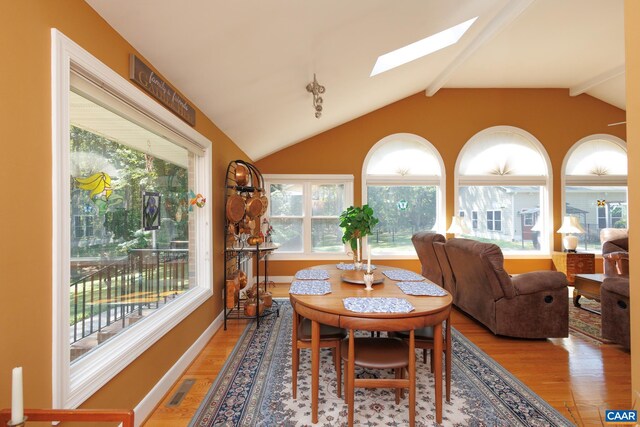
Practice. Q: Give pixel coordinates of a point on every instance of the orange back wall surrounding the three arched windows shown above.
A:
(448, 120)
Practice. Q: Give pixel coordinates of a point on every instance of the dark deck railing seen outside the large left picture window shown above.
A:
(144, 279)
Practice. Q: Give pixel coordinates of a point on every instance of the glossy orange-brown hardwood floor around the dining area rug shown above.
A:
(576, 376)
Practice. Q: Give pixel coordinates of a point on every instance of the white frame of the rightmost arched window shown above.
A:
(595, 180)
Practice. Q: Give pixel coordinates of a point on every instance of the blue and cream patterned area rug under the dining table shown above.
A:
(254, 389)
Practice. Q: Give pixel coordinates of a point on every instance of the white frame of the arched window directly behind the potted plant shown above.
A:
(411, 180)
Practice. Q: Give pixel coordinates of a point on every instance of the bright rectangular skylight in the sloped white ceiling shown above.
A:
(421, 48)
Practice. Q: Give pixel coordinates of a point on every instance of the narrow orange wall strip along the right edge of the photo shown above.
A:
(632, 50)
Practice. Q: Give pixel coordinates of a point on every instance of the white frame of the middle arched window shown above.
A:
(545, 182)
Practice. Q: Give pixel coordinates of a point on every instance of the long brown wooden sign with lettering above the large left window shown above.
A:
(140, 73)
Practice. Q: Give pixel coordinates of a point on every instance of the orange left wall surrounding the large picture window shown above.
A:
(25, 217)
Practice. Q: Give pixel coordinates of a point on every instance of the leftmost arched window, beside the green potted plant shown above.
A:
(403, 181)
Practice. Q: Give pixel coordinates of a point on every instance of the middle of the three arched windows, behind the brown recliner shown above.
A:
(503, 192)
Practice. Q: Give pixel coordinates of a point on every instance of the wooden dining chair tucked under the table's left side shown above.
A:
(330, 337)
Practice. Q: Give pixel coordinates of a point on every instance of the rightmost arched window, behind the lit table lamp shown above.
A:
(595, 186)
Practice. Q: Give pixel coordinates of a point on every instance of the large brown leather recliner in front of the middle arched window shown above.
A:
(529, 305)
